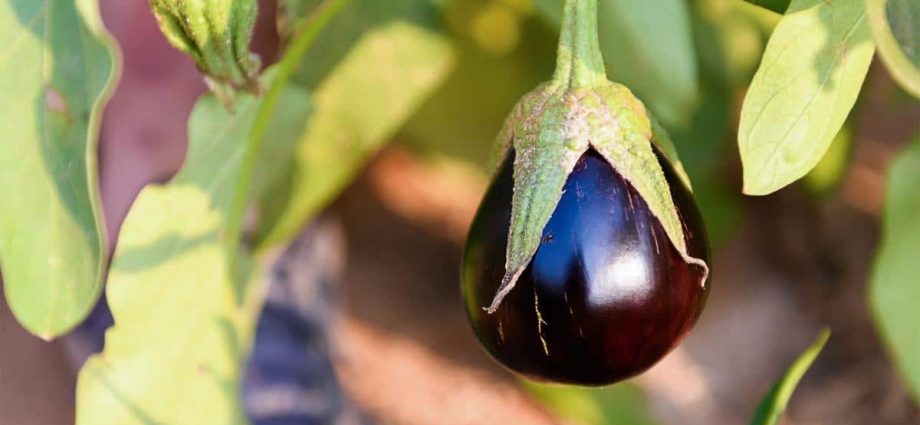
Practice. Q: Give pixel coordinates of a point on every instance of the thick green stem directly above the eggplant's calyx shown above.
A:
(579, 62)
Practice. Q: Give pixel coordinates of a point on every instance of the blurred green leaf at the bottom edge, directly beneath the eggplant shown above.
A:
(621, 404)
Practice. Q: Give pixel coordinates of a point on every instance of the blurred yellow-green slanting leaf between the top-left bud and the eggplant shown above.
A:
(370, 90)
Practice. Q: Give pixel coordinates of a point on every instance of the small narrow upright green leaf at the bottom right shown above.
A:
(771, 408)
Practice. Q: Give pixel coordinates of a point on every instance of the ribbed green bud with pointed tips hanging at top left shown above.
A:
(216, 35)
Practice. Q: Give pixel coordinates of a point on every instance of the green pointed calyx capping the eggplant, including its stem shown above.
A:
(551, 127)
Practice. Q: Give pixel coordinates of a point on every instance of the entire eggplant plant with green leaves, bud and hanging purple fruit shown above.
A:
(591, 255)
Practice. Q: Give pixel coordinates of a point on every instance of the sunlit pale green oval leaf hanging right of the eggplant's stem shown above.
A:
(807, 83)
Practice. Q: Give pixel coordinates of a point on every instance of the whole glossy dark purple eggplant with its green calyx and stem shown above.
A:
(587, 261)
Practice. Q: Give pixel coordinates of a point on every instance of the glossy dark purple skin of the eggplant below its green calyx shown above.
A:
(606, 295)
